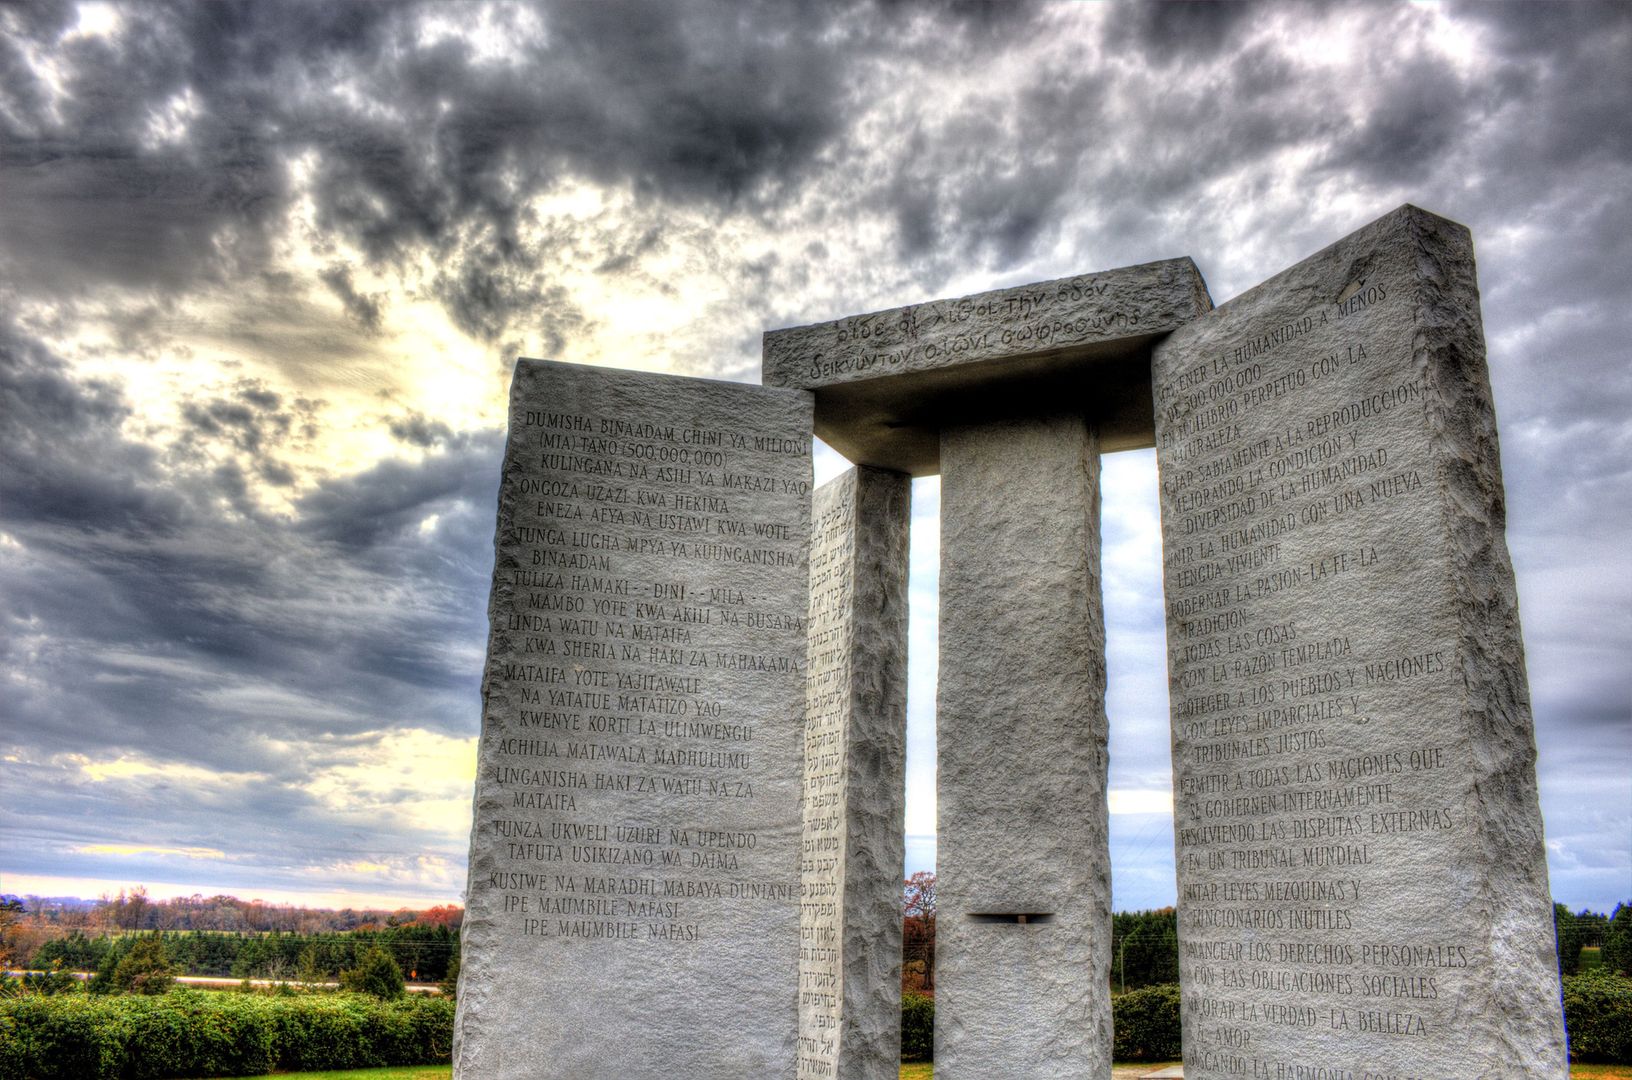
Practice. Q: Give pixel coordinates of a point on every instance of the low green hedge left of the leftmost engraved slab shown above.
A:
(193, 1034)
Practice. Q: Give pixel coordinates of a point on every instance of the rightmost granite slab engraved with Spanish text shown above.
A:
(1364, 890)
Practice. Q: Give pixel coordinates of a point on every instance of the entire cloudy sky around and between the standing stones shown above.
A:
(265, 270)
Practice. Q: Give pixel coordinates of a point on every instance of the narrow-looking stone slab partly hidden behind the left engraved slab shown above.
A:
(854, 781)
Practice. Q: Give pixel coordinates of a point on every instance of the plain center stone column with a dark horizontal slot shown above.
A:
(1022, 955)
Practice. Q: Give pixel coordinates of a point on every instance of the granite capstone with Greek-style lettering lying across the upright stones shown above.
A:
(890, 381)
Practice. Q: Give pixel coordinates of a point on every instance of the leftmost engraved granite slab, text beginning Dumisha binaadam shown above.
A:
(634, 903)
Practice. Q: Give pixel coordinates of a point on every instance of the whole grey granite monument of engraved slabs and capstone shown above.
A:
(686, 857)
